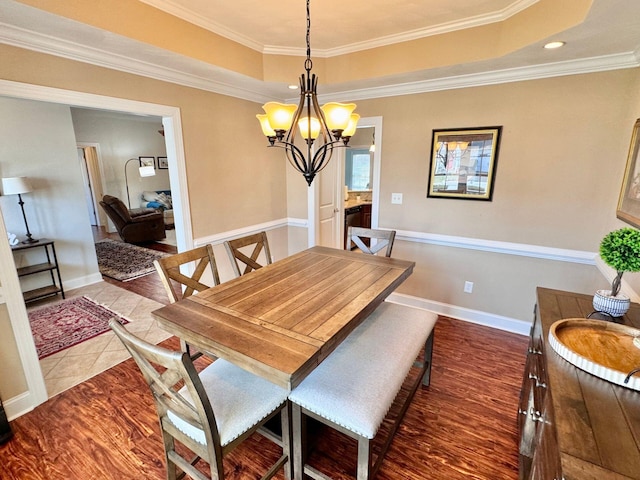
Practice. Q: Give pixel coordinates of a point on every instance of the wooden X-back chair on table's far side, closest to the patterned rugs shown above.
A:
(173, 279)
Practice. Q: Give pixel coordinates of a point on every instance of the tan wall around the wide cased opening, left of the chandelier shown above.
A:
(225, 151)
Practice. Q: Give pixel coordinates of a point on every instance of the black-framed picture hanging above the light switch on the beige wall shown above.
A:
(463, 163)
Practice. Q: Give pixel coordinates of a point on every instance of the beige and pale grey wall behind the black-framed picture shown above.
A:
(560, 167)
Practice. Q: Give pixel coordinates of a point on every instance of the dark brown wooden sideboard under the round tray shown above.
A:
(573, 425)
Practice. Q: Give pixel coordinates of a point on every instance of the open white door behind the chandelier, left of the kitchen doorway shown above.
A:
(328, 198)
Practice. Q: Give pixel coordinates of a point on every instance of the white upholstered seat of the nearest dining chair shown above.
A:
(239, 398)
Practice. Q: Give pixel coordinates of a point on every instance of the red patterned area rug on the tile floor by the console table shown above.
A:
(63, 324)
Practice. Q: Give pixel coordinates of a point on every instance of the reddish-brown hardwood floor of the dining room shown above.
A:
(462, 426)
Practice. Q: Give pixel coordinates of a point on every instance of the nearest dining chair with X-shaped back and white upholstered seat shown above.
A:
(210, 412)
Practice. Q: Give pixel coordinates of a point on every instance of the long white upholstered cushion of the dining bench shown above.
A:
(355, 386)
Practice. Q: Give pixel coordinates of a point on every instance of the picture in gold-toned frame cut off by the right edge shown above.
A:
(629, 201)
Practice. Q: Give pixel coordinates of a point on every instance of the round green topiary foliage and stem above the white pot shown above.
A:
(620, 250)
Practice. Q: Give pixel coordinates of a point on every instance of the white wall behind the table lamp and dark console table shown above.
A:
(37, 141)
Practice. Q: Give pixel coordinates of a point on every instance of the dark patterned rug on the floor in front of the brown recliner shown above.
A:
(123, 261)
